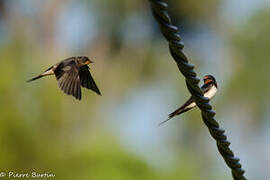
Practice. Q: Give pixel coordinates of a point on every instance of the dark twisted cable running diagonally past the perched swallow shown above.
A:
(170, 32)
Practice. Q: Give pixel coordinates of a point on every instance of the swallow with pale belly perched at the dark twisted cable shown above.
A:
(209, 90)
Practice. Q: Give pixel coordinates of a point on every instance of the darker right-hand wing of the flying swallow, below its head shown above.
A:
(87, 80)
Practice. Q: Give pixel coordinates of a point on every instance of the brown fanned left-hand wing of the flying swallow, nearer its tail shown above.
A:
(68, 79)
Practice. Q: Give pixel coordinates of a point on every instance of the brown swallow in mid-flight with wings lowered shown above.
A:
(71, 74)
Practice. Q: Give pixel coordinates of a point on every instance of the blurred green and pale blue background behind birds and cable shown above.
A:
(116, 136)
